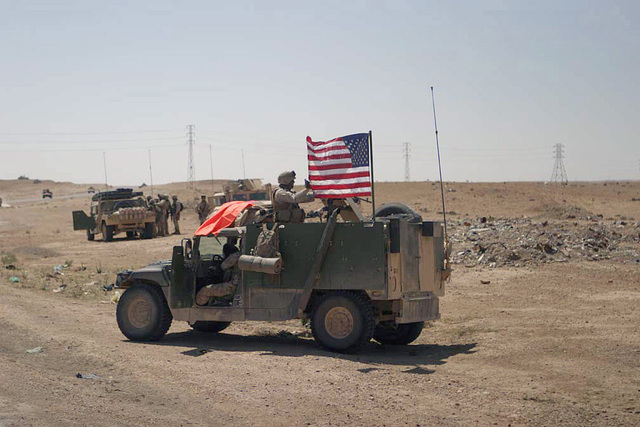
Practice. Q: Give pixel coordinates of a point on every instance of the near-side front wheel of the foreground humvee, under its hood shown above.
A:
(143, 313)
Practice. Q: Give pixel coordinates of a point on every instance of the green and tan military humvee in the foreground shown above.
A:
(353, 280)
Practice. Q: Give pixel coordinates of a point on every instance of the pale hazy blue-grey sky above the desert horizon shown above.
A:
(105, 90)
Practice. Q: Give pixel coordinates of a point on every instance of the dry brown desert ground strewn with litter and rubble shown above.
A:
(539, 325)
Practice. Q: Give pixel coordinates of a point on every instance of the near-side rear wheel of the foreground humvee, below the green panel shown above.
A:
(343, 321)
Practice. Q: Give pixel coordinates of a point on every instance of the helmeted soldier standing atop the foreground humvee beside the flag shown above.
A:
(285, 200)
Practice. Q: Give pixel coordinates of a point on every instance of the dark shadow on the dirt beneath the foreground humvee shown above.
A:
(285, 344)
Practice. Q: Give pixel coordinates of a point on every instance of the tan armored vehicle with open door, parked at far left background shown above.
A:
(113, 212)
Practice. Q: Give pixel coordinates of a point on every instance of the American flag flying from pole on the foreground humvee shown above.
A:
(340, 168)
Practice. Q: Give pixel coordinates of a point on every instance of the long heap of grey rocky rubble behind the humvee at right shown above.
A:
(526, 242)
